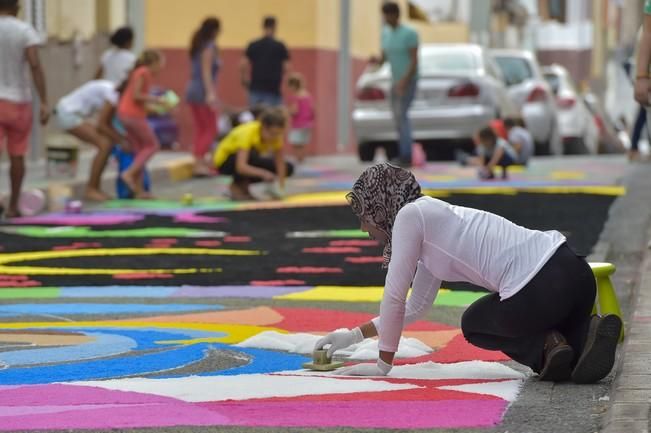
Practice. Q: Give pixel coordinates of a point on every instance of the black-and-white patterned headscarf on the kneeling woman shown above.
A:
(379, 193)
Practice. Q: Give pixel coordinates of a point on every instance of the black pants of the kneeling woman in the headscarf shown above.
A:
(560, 297)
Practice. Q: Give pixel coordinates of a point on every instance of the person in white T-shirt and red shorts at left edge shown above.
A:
(18, 51)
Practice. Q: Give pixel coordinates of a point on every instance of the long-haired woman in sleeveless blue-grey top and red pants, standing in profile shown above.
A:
(201, 93)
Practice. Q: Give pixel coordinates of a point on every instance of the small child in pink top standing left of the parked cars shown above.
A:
(301, 108)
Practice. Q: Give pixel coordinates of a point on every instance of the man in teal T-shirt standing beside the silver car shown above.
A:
(400, 49)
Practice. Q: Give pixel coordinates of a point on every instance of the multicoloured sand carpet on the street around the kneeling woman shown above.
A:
(139, 316)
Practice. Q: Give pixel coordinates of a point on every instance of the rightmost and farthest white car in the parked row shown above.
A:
(577, 126)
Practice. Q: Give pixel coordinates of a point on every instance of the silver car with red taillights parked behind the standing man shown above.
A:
(460, 90)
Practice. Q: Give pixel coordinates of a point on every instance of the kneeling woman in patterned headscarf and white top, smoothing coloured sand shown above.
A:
(539, 313)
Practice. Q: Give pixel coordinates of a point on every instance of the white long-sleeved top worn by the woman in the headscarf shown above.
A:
(433, 241)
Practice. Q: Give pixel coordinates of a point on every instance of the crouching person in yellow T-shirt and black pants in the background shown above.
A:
(253, 152)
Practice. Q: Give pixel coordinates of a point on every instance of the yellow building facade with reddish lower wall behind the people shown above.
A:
(77, 32)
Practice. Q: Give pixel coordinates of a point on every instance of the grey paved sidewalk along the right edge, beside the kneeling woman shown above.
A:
(624, 243)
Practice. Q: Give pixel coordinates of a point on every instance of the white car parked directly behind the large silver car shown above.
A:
(533, 97)
